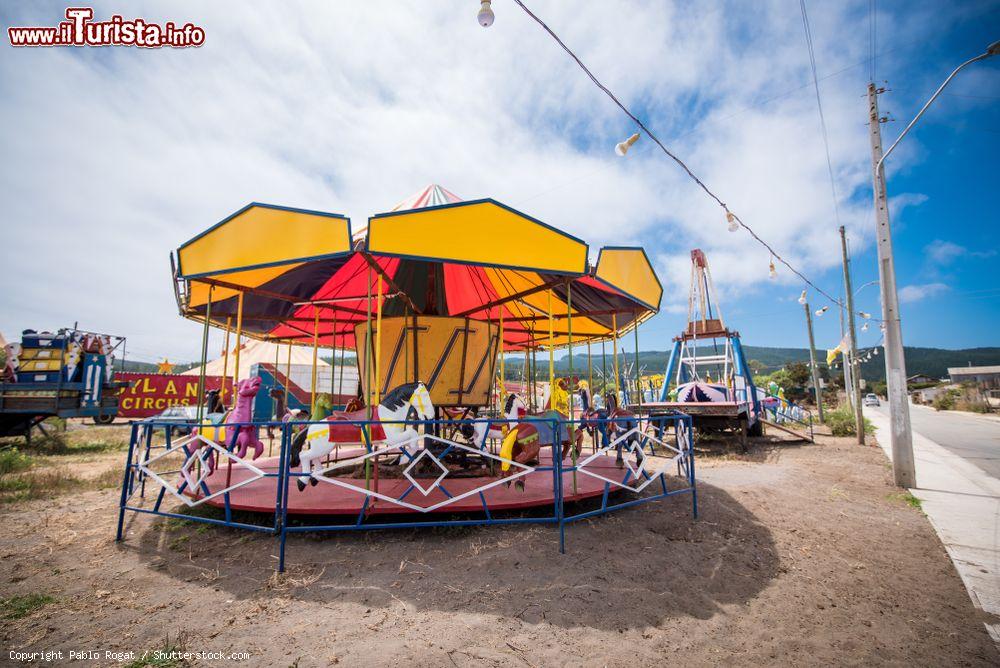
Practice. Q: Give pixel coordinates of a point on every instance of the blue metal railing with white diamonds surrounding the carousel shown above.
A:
(194, 470)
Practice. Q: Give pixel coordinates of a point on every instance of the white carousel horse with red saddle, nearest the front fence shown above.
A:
(407, 403)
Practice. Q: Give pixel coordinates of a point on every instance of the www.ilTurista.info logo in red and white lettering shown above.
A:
(80, 30)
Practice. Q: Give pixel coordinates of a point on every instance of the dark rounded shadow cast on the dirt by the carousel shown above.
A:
(630, 569)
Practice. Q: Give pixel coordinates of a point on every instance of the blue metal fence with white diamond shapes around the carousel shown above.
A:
(191, 485)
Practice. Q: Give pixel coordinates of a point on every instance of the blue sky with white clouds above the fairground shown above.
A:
(115, 156)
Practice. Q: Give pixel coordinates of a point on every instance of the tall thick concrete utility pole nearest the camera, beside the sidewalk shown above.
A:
(901, 437)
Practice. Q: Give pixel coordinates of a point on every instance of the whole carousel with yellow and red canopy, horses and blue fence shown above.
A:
(433, 300)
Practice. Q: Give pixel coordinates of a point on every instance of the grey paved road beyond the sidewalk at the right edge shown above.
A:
(975, 439)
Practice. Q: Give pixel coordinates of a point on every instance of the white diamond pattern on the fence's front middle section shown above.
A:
(520, 470)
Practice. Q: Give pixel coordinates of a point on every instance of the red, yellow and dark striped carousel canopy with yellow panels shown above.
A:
(302, 273)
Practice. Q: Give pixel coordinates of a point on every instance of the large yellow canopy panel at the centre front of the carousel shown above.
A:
(482, 232)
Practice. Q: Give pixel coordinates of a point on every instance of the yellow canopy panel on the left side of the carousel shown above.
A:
(264, 235)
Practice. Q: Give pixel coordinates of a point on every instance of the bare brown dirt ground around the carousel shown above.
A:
(801, 555)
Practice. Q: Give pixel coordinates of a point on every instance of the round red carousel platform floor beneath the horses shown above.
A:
(346, 496)
